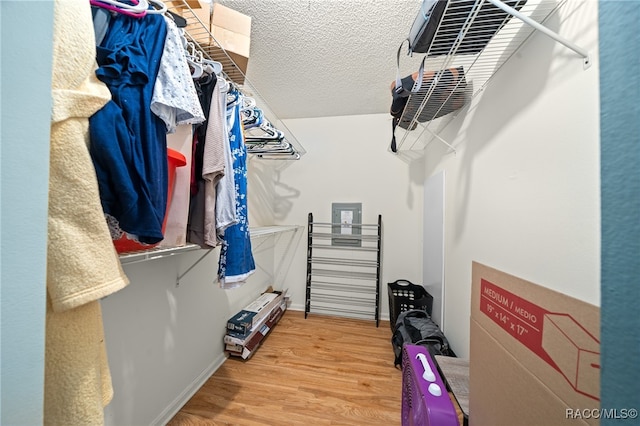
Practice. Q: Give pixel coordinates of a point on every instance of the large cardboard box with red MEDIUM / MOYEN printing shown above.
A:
(535, 353)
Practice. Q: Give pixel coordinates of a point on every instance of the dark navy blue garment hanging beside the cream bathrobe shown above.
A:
(128, 141)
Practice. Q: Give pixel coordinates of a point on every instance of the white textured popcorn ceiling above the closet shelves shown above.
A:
(315, 58)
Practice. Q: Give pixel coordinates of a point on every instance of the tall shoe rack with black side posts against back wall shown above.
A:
(343, 269)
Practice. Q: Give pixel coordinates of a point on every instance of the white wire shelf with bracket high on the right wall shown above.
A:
(448, 51)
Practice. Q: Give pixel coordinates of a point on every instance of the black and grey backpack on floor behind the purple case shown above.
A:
(416, 327)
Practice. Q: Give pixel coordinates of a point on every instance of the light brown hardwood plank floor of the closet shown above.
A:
(316, 371)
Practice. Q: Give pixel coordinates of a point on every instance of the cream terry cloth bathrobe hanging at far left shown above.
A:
(82, 265)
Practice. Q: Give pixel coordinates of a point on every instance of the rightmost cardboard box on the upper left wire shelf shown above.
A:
(232, 30)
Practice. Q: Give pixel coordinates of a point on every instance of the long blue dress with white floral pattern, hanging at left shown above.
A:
(236, 261)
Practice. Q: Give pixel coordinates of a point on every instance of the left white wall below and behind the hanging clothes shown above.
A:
(165, 339)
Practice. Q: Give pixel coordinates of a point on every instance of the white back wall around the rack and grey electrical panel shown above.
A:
(347, 160)
